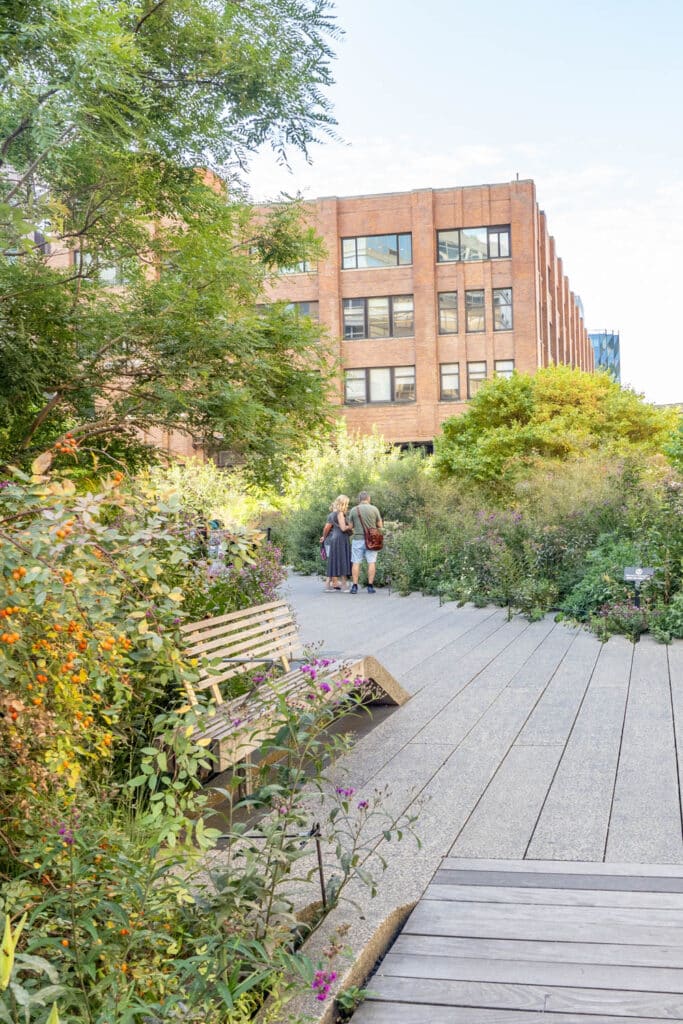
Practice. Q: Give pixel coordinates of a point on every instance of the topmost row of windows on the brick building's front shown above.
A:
(453, 245)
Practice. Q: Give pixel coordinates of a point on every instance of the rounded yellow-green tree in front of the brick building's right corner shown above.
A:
(558, 414)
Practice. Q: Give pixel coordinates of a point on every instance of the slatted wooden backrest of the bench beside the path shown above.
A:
(266, 631)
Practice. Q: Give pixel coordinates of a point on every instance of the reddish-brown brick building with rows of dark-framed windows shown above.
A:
(425, 294)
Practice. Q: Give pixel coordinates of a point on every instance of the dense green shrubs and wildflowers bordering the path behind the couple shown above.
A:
(558, 539)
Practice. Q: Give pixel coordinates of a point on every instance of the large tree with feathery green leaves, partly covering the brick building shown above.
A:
(125, 130)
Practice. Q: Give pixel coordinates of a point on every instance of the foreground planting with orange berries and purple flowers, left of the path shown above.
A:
(146, 897)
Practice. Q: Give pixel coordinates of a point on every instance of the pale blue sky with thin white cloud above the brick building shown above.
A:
(585, 99)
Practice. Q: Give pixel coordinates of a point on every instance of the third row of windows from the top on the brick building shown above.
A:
(387, 385)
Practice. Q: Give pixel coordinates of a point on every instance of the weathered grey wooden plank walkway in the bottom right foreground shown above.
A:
(520, 943)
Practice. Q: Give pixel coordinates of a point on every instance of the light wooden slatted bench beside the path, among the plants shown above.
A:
(265, 636)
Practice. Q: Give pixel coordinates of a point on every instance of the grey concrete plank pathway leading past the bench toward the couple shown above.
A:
(523, 742)
